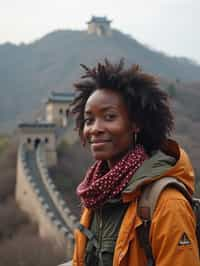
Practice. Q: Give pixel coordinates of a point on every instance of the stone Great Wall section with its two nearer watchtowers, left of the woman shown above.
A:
(36, 193)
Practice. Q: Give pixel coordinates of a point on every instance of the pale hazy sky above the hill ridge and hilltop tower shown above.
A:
(171, 26)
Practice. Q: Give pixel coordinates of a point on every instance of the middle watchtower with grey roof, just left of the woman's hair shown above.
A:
(57, 108)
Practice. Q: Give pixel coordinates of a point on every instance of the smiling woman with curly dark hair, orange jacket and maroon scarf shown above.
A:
(125, 119)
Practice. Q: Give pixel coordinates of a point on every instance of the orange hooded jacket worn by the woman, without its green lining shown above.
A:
(173, 218)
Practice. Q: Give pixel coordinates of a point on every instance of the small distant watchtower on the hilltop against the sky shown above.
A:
(99, 26)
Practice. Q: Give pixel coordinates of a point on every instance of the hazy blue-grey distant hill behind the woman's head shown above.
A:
(29, 72)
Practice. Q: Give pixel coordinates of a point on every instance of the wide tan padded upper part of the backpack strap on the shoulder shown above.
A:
(151, 193)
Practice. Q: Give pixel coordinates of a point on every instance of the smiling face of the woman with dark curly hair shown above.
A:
(107, 127)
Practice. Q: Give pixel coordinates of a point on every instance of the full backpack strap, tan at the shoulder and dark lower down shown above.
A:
(146, 206)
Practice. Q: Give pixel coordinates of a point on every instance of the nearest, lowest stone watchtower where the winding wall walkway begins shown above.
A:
(32, 134)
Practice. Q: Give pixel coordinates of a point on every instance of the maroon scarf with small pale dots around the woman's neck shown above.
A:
(101, 184)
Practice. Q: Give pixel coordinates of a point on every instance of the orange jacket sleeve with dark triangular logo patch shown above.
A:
(172, 234)
